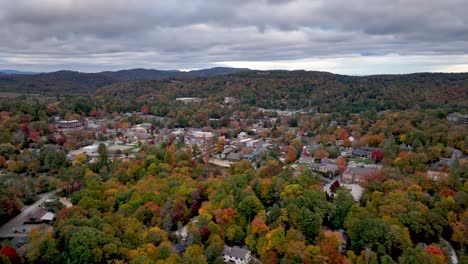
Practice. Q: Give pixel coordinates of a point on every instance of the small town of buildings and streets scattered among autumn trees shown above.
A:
(267, 140)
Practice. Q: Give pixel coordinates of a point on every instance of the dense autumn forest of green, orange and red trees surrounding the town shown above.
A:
(131, 207)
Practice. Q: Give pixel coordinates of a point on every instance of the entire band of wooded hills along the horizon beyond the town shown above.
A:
(263, 86)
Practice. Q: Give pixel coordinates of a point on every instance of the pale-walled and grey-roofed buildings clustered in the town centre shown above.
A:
(251, 144)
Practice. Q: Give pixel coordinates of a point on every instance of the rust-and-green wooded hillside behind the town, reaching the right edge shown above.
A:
(325, 92)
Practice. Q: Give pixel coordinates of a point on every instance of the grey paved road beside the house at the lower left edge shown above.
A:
(17, 222)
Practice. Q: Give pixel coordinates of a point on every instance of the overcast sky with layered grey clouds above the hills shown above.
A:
(340, 36)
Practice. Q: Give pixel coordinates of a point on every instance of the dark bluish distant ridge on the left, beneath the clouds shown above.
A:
(65, 81)
